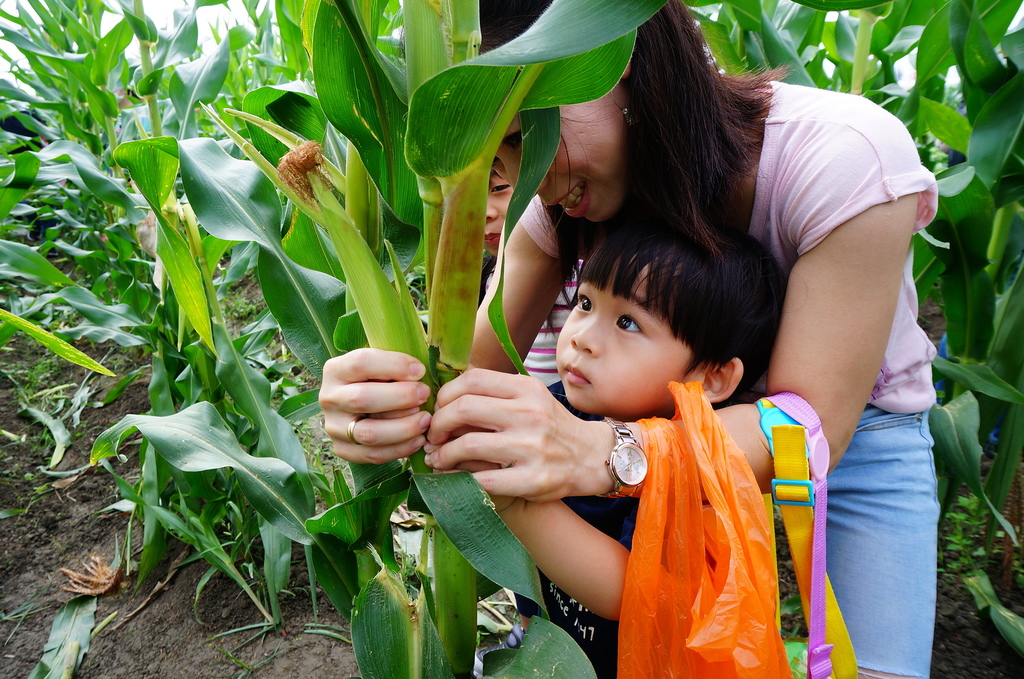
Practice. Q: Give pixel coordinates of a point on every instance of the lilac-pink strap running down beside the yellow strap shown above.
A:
(819, 653)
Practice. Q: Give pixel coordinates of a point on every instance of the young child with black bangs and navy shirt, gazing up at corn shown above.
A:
(652, 310)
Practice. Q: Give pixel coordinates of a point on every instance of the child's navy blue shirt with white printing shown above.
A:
(598, 636)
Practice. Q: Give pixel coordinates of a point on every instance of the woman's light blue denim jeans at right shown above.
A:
(883, 517)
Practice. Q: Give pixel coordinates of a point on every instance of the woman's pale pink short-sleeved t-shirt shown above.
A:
(827, 158)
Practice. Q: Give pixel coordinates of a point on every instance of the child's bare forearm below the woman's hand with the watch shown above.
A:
(589, 566)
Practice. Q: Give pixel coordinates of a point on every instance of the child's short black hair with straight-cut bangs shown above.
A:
(722, 307)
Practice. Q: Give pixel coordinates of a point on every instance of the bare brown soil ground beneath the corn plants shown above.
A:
(170, 638)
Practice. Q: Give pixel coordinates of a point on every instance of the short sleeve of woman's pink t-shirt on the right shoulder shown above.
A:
(827, 158)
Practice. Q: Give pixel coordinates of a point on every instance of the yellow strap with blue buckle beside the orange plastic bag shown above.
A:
(790, 448)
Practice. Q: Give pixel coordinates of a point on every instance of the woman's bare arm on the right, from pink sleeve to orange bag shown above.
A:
(837, 319)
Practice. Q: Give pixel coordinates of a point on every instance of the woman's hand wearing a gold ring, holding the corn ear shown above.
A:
(371, 401)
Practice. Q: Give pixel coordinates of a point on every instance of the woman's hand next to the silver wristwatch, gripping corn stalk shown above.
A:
(536, 449)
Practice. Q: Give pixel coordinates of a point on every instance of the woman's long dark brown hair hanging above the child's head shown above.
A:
(696, 133)
